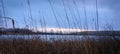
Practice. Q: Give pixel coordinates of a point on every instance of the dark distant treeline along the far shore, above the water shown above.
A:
(28, 31)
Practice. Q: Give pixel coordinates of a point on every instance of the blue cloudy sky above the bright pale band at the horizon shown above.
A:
(44, 11)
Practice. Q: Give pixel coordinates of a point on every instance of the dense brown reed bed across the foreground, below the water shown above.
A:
(85, 45)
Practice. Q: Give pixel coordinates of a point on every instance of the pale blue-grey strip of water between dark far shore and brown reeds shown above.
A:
(50, 37)
